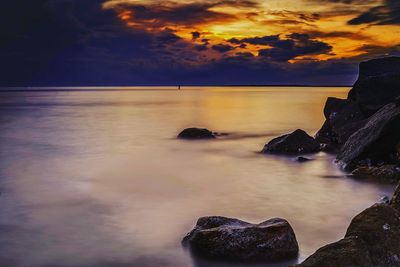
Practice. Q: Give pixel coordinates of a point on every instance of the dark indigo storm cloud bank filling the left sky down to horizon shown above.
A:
(76, 42)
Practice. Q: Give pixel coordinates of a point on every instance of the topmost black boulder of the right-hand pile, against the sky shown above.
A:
(378, 84)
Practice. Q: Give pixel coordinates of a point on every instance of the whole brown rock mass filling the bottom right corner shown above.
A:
(372, 239)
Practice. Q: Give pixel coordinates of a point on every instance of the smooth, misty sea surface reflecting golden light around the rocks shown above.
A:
(97, 178)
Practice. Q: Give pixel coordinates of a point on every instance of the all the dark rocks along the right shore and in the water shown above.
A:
(364, 131)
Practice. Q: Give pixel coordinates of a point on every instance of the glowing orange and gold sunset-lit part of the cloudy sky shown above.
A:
(281, 30)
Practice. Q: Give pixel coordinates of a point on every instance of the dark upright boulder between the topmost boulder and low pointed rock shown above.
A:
(343, 118)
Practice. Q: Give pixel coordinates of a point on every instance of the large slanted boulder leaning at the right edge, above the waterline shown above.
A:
(374, 142)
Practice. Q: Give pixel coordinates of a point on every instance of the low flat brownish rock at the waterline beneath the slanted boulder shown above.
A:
(389, 173)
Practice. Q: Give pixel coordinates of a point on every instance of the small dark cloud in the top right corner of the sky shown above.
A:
(385, 14)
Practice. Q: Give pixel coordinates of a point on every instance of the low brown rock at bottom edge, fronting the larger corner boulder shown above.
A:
(350, 251)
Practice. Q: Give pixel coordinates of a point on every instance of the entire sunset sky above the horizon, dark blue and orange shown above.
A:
(193, 42)
